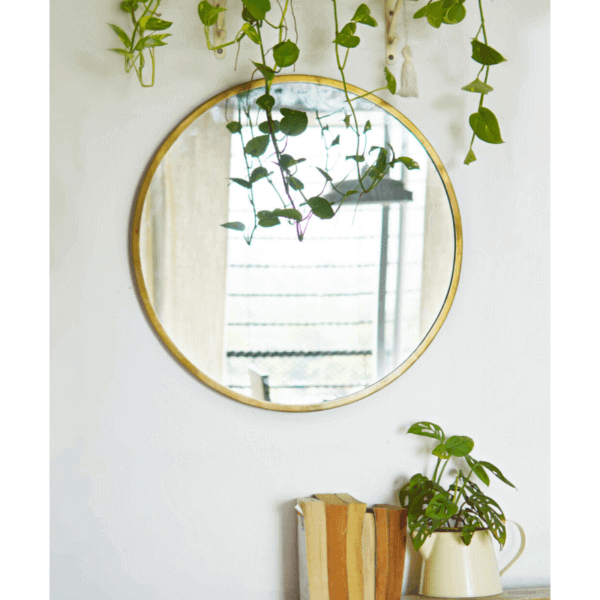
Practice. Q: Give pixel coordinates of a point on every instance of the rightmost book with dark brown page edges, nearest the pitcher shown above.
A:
(396, 537)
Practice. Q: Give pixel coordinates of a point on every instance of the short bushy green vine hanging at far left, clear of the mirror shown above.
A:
(142, 39)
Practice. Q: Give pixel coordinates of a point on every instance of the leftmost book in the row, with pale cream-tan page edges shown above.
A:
(312, 549)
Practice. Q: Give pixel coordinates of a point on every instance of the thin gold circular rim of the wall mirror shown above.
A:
(137, 265)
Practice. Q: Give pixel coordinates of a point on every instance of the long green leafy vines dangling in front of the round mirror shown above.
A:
(271, 136)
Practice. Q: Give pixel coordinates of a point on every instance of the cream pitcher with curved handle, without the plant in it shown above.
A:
(452, 569)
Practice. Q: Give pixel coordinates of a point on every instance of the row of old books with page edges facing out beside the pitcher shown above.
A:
(348, 551)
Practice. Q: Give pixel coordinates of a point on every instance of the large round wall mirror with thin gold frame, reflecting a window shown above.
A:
(302, 261)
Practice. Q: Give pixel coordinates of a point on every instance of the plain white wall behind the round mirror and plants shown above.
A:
(161, 487)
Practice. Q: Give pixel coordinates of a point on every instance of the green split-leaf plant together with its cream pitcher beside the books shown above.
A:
(453, 528)
